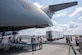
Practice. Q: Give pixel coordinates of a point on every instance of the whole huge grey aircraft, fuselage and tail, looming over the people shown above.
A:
(22, 14)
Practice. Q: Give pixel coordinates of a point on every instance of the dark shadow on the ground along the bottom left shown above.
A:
(14, 51)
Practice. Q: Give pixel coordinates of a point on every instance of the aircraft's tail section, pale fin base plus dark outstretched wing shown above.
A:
(53, 8)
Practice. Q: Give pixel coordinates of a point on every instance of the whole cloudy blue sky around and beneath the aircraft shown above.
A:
(68, 21)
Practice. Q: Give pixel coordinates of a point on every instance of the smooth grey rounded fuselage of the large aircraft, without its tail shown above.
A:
(13, 14)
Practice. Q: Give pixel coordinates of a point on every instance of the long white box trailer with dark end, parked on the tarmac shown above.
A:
(54, 35)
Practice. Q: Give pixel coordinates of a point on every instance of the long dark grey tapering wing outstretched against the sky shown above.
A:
(62, 6)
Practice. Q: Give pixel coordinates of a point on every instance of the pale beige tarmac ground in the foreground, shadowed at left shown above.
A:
(58, 47)
